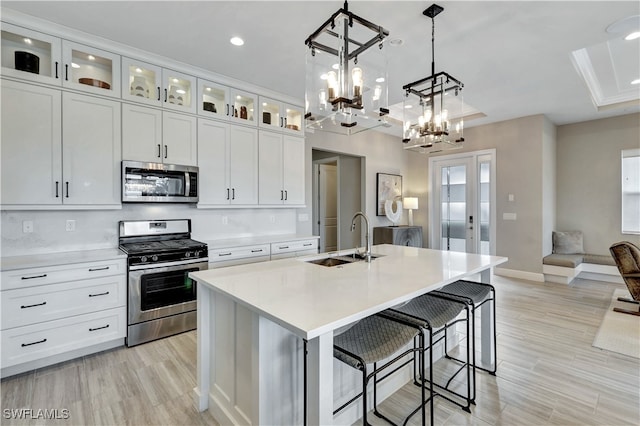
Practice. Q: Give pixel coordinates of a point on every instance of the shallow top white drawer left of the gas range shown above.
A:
(21, 278)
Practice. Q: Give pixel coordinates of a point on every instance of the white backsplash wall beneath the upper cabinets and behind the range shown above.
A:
(99, 228)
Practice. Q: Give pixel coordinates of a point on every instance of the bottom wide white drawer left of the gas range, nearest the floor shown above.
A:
(32, 342)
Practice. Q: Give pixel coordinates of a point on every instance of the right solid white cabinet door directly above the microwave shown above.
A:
(180, 143)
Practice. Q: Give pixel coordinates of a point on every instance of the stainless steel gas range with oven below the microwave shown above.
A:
(161, 296)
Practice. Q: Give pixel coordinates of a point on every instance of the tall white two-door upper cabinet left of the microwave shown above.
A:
(38, 168)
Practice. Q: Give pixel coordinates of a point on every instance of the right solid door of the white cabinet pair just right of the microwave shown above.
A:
(243, 165)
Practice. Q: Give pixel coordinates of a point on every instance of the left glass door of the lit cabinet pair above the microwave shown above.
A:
(141, 82)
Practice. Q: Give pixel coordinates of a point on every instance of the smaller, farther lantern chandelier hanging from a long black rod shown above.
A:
(433, 106)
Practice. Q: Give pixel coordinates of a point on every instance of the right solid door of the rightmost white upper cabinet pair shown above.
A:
(293, 169)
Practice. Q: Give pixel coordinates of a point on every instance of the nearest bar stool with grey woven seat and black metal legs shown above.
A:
(371, 340)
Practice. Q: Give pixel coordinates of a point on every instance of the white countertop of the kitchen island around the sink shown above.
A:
(310, 300)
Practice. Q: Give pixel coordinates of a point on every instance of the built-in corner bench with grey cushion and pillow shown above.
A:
(567, 261)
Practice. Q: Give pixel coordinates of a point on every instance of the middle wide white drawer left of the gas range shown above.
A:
(45, 303)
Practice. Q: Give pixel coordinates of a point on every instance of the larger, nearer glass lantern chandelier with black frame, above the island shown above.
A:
(346, 75)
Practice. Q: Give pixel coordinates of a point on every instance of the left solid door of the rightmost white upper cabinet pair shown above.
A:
(270, 166)
